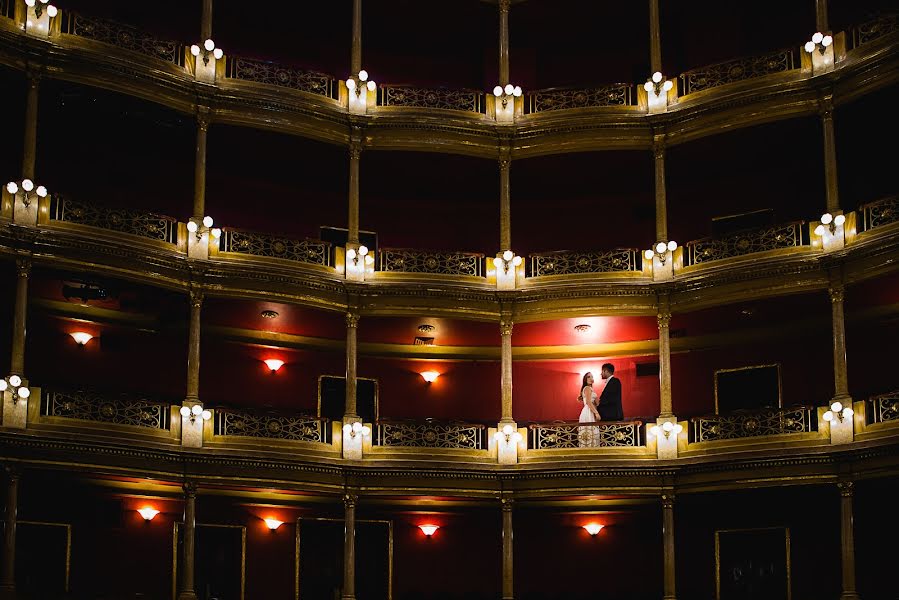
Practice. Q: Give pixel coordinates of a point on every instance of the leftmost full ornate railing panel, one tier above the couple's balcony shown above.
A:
(124, 220)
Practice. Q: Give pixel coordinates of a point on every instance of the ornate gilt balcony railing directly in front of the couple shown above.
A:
(573, 434)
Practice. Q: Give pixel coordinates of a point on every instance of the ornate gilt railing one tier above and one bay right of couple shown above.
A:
(777, 237)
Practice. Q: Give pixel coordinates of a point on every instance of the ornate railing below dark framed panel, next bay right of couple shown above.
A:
(743, 424)
